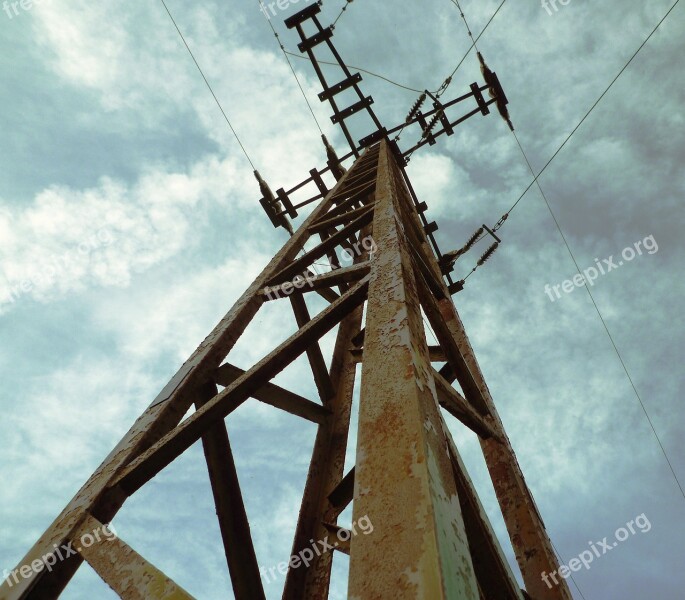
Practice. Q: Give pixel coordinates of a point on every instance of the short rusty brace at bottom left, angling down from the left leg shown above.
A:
(125, 571)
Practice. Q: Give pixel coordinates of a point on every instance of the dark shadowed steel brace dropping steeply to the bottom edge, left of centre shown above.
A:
(230, 509)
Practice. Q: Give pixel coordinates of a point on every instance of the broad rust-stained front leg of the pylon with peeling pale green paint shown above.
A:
(403, 477)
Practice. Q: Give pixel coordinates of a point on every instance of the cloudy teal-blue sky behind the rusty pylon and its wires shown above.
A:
(130, 223)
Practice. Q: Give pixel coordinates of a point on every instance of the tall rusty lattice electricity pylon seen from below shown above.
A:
(432, 538)
